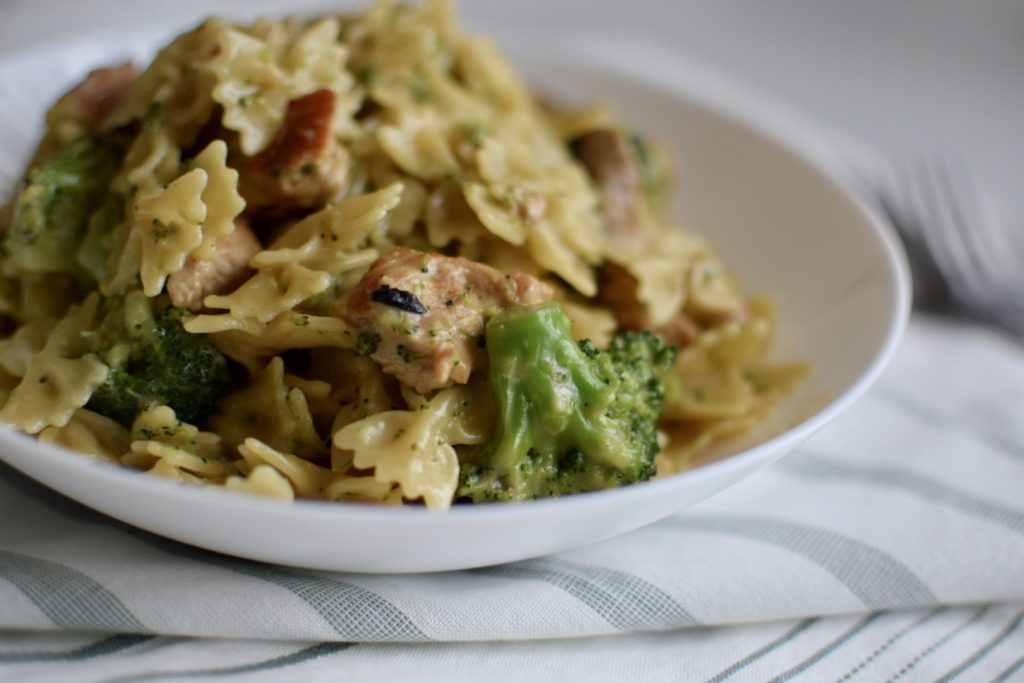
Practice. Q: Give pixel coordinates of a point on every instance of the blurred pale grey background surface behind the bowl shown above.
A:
(881, 81)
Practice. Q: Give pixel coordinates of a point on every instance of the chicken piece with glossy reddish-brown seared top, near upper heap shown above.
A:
(304, 165)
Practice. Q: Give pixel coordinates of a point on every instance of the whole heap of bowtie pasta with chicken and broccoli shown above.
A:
(357, 259)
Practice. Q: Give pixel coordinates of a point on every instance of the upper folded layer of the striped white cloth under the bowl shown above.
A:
(910, 501)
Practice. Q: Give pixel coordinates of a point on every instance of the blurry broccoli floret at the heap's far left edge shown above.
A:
(53, 211)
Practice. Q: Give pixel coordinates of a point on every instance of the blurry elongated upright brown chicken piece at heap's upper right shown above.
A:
(612, 163)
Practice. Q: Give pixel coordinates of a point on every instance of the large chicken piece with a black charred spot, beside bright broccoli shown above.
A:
(422, 316)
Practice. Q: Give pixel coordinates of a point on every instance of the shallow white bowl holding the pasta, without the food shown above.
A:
(762, 195)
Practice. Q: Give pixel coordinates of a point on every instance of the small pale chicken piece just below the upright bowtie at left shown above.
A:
(226, 272)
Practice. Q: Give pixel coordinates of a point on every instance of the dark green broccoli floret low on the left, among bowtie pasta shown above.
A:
(154, 361)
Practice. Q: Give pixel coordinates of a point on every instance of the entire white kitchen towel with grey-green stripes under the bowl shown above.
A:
(891, 546)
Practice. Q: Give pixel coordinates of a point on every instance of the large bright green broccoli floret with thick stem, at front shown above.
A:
(571, 417)
